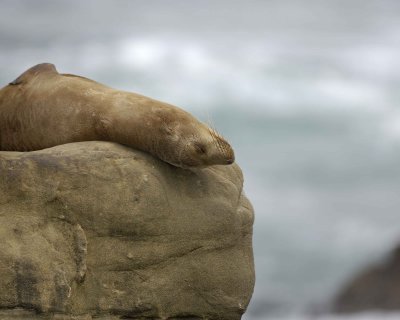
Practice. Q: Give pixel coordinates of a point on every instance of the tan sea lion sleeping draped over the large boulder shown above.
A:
(43, 108)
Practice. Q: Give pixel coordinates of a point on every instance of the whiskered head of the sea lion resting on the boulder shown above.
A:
(189, 143)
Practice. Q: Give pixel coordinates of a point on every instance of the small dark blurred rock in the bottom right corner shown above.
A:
(376, 288)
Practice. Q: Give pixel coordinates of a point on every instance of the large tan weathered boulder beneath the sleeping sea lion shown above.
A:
(95, 229)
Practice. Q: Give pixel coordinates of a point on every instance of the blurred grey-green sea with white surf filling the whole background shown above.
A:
(306, 91)
